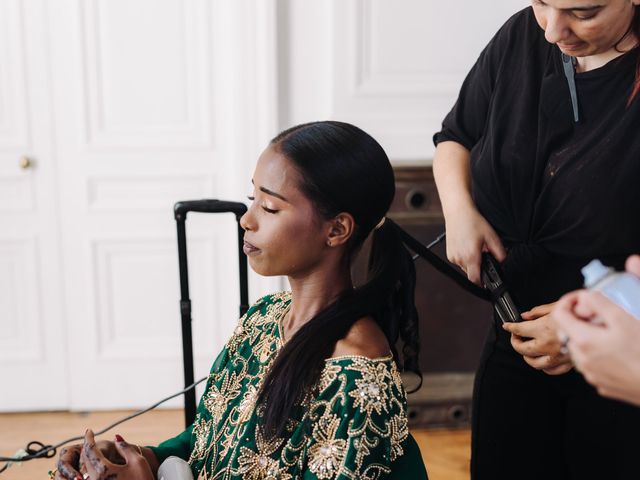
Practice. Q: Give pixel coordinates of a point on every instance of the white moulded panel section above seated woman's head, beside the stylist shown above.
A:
(398, 66)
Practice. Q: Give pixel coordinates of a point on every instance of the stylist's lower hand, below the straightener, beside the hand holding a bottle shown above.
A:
(536, 339)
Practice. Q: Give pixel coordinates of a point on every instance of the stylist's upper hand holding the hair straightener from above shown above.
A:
(468, 235)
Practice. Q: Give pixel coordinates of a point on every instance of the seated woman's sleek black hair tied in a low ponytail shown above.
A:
(343, 169)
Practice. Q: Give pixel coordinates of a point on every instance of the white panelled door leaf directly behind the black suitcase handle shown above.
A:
(145, 116)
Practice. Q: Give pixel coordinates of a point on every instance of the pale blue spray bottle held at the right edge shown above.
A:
(621, 287)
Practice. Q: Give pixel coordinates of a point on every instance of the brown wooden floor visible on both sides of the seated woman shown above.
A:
(446, 453)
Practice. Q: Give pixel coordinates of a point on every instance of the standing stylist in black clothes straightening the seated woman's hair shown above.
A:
(538, 163)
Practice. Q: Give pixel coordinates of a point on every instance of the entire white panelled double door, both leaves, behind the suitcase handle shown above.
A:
(110, 112)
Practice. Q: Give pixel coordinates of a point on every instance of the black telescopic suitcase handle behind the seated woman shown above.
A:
(181, 209)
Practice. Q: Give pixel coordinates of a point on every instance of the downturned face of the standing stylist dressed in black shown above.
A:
(584, 27)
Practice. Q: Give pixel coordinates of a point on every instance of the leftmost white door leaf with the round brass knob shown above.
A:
(32, 365)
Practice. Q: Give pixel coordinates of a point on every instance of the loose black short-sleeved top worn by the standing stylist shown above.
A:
(558, 193)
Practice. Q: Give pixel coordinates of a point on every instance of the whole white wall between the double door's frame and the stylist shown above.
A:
(391, 67)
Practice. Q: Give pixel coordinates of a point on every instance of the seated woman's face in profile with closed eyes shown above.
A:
(283, 232)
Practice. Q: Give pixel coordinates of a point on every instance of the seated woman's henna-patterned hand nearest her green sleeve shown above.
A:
(99, 467)
